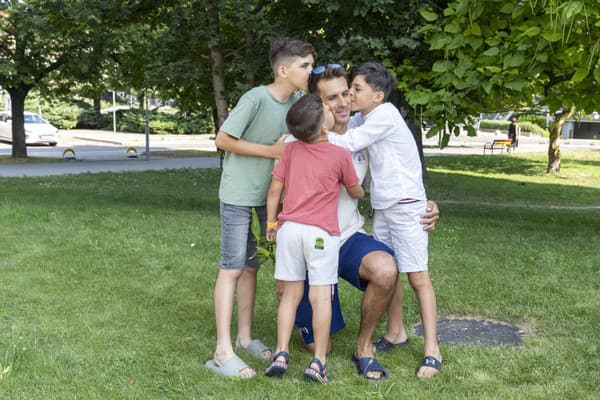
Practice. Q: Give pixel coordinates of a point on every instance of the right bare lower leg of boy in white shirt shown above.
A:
(421, 283)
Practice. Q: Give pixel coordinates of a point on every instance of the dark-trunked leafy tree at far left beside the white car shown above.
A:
(47, 43)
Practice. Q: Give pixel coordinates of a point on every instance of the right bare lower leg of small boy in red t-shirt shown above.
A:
(320, 301)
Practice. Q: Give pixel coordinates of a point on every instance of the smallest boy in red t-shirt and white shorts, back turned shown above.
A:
(311, 170)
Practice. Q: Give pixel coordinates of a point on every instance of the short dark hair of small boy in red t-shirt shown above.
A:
(305, 117)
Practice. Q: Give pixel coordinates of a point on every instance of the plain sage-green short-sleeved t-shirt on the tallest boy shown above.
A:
(259, 118)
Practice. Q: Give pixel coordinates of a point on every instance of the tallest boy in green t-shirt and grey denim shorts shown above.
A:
(252, 138)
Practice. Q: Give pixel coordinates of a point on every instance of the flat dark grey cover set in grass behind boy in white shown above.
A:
(475, 332)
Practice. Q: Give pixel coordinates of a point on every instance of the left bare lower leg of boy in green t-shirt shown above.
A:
(227, 281)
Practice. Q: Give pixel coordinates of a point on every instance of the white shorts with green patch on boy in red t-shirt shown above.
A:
(306, 248)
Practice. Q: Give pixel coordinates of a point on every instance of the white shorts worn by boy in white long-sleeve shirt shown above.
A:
(400, 228)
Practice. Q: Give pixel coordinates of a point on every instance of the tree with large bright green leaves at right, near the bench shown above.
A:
(530, 53)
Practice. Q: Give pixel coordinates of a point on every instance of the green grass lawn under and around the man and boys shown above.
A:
(106, 287)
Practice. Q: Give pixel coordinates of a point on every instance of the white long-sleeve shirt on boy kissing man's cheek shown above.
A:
(394, 161)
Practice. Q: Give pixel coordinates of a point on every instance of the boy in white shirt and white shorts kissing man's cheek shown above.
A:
(397, 195)
